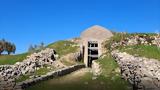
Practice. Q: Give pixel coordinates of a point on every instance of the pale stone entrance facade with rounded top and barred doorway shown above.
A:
(91, 42)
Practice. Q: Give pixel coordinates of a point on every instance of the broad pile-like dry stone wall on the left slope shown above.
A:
(8, 73)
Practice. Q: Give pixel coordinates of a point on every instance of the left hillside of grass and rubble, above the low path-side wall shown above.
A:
(27, 62)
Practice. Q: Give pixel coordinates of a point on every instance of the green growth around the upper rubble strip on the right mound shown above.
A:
(148, 51)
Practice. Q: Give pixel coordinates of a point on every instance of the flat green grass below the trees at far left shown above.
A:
(12, 59)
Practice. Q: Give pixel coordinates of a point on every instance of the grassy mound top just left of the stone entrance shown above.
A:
(63, 47)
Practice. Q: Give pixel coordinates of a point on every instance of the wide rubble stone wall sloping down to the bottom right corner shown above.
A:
(142, 73)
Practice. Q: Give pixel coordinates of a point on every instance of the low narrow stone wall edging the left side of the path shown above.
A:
(61, 72)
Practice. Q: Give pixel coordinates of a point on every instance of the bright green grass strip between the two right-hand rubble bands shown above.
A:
(143, 51)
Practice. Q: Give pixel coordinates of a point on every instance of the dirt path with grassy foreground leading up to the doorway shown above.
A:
(71, 81)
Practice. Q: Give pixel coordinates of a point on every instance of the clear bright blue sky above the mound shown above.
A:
(27, 22)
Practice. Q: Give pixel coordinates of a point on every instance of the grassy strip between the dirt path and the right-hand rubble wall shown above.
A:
(110, 74)
